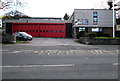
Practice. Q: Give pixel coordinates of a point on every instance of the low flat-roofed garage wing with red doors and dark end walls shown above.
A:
(40, 27)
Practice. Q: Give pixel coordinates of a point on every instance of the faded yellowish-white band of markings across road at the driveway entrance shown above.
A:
(59, 52)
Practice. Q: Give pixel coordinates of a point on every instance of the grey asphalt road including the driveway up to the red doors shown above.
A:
(55, 58)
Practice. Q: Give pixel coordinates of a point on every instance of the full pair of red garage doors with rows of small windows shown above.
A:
(41, 29)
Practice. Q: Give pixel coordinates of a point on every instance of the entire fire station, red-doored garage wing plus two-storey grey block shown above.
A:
(88, 20)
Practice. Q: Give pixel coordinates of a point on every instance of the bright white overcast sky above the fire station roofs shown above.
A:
(58, 8)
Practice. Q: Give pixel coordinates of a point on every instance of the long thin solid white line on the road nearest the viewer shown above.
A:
(25, 66)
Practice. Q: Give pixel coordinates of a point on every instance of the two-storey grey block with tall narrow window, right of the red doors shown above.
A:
(92, 20)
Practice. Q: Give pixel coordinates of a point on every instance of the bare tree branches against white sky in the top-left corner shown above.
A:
(6, 4)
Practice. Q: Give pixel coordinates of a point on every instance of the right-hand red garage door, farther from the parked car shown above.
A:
(52, 30)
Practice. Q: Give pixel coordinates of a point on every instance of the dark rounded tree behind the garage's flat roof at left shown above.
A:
(14, 15)
